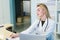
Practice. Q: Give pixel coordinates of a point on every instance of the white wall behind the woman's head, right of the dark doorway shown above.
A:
(51, 7)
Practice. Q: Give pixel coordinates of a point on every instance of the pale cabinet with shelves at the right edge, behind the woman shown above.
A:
(58, 17)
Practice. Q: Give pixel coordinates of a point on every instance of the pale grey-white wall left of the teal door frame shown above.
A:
(4, 12)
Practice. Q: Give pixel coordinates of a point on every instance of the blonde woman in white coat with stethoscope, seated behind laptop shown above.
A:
(44, 25)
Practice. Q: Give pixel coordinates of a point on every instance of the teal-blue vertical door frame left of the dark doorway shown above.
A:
(12, 13)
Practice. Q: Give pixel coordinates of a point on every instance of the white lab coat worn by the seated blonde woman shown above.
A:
(49, 30)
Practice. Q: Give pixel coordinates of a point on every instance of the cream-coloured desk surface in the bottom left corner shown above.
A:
(5, 33)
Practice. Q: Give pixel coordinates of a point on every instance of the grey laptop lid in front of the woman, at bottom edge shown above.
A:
(31, 37)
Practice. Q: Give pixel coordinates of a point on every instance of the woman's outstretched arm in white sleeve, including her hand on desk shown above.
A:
(25, 31)
